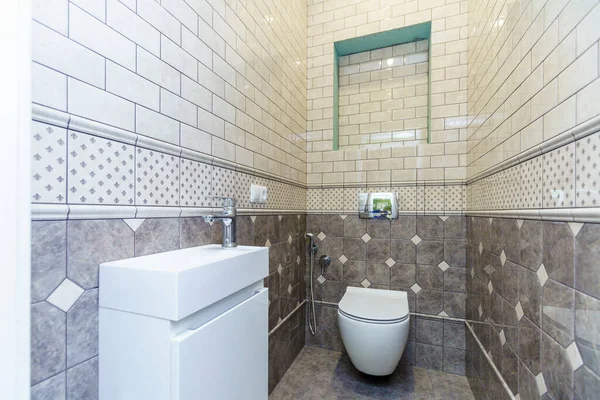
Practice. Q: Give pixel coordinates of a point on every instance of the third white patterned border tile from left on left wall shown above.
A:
(157, 178)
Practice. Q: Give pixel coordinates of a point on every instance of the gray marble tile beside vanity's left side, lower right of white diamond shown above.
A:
(82, 329)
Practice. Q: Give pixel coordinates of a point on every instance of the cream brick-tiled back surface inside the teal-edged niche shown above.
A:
(383, 97)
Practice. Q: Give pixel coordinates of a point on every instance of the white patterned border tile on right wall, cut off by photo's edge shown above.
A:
(587, 187)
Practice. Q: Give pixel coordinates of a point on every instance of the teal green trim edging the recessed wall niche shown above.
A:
(375, 41)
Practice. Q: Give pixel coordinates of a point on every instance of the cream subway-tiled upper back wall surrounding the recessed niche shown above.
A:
(334, 20)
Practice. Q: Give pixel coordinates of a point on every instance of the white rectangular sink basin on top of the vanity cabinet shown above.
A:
(175, 284)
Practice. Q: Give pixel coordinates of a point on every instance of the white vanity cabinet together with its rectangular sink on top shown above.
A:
(187, 324)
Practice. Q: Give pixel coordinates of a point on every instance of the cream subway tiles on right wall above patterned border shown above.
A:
(533, 71)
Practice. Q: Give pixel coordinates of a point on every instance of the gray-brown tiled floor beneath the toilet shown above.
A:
(319, 374)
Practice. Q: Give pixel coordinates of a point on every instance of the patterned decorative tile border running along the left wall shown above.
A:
(101, 171)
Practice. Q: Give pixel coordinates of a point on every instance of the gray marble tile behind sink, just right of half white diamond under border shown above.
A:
(157, 235)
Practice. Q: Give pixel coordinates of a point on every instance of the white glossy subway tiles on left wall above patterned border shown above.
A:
(180, 71)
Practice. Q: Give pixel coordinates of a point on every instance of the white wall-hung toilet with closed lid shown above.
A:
(374, 326)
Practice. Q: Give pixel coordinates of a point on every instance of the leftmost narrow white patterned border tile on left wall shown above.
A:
(48, 164)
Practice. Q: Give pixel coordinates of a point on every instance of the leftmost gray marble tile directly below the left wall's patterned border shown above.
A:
(48, 257)
